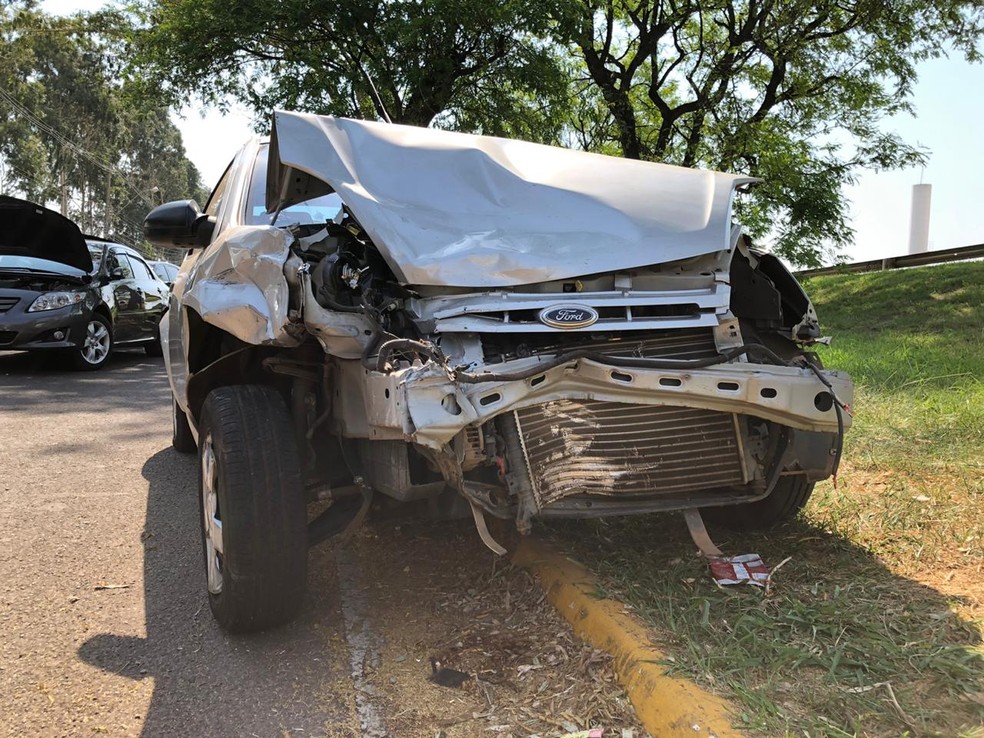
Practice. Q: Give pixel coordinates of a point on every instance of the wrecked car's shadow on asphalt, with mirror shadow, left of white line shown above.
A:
(205, 681)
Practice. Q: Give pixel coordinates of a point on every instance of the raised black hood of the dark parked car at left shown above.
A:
(27, 229)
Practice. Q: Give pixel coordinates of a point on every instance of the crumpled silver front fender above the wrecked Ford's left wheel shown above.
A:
(238, 285)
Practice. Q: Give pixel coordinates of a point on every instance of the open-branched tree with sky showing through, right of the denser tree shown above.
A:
(791, 91)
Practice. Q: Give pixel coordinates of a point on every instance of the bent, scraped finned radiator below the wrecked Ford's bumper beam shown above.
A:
(615, 449)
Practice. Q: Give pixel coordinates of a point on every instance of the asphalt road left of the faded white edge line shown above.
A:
(93, 496)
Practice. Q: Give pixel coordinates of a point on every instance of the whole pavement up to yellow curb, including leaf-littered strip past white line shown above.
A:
(105, 627)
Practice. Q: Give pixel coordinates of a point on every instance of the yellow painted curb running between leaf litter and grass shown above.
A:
(666, 705)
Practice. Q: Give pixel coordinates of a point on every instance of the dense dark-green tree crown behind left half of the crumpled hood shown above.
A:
(458, 63)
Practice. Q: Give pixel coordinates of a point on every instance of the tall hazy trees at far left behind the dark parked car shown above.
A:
(72, 132)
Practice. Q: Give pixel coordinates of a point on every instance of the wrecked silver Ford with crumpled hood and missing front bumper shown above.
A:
(516, 330)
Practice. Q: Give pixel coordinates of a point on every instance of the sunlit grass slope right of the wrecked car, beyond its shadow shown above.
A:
(914, 484)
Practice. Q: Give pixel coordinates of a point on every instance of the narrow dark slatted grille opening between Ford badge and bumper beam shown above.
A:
(669, 344)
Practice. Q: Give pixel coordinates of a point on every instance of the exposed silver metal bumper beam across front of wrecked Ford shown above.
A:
(423, 405)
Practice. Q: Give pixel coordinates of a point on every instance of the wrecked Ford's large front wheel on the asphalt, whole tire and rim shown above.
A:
(250, 484)
